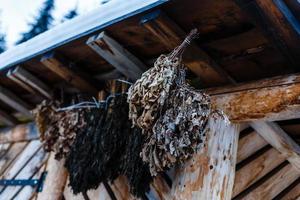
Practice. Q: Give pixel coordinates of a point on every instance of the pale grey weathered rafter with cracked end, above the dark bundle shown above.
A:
(117, 55)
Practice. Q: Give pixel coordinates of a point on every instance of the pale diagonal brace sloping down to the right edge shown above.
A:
(275, 136)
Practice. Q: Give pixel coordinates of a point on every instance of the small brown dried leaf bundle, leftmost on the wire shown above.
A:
(57, 129)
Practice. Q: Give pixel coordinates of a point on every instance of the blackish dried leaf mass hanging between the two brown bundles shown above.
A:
(106, 149)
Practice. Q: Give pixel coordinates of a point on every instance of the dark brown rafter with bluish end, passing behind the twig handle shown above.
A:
(171, 35)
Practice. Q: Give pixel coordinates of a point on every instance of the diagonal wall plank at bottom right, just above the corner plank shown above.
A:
(274, 185)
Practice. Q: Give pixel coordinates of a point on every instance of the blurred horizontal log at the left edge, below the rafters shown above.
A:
(23, 132)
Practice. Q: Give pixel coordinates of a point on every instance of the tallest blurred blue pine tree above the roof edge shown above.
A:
(42, 24)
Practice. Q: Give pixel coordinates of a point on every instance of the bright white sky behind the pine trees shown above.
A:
(16, 14)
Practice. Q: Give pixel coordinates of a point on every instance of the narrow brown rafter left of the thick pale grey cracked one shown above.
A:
(53, 63)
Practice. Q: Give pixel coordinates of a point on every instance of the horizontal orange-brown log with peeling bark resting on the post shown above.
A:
(268, 104)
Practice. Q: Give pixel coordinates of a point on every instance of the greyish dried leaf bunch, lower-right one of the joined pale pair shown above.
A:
(180, 131)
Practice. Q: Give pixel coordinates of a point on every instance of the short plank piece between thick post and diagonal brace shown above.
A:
(250, 144)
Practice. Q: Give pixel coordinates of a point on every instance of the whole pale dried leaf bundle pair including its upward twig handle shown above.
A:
(172, 115)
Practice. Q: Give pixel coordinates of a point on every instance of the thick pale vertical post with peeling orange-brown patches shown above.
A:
(210, 173)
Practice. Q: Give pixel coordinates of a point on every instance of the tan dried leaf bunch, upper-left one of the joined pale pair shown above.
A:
(149, 93)
